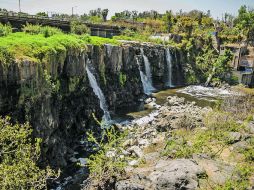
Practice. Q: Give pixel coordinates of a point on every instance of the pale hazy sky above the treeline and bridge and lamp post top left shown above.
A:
(217, 7)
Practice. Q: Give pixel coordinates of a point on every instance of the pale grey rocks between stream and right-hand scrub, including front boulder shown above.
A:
(147, 139)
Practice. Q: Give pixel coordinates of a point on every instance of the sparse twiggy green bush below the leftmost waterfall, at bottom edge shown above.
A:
(106, 164)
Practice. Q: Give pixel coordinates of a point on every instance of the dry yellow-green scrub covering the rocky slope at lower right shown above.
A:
(213, 137)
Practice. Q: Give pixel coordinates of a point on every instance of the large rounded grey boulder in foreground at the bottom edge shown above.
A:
(176, 174)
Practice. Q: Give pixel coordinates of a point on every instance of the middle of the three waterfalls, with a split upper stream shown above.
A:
(146, 77)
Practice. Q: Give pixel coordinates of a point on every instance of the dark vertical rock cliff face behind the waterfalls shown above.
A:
(56, 98)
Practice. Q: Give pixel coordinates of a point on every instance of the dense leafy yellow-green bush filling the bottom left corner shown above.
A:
(19, 154)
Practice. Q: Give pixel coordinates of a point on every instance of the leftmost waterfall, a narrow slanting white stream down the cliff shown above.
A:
(98, 92)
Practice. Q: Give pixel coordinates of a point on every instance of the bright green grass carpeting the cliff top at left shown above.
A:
(26, 46)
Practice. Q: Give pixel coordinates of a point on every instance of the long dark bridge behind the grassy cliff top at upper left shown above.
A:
(18, 20)
